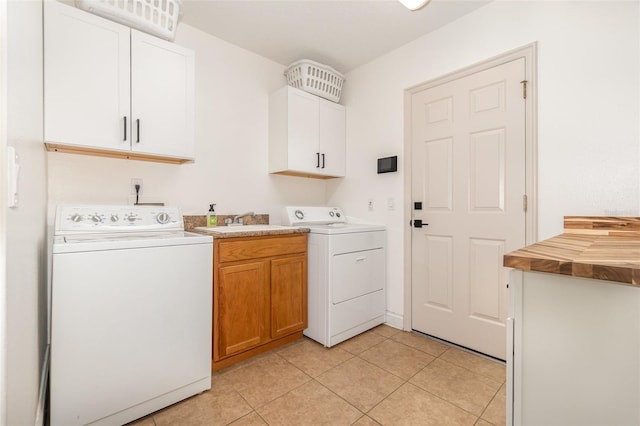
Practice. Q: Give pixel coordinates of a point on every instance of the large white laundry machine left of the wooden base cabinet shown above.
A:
(131, 300)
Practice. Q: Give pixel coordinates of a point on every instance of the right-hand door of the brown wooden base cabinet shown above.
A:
(288, 295)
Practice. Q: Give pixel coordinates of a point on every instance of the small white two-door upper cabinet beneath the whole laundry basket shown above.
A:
(307, 135)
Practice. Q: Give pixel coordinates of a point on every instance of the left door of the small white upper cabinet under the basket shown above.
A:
(304, 154)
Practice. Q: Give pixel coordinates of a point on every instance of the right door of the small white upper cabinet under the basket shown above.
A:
(332, 134)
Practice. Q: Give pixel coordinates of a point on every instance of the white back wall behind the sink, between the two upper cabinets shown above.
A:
(231, 127)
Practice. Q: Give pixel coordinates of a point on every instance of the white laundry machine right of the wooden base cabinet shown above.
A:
(347, 273)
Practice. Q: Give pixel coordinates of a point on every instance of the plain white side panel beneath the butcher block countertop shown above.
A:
(580, 351)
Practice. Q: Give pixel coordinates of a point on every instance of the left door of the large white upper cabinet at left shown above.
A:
(86, 79)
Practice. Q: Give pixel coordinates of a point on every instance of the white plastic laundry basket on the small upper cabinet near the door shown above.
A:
(312, 77)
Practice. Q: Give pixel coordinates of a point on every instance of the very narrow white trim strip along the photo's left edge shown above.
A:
(3, 213)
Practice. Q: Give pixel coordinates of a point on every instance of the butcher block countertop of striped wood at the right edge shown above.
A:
(604, 248)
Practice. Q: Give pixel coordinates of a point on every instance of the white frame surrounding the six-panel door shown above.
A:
(529, 53)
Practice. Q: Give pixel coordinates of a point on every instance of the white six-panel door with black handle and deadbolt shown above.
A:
(468, 171)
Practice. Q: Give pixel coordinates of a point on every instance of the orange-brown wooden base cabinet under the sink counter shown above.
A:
(259, 295)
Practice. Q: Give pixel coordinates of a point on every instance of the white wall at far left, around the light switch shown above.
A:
(25, 231)
